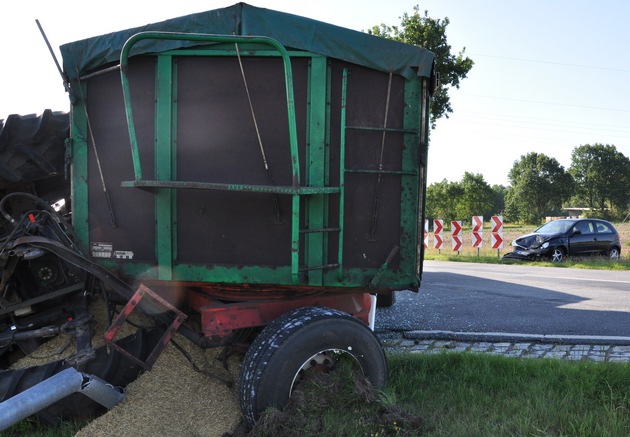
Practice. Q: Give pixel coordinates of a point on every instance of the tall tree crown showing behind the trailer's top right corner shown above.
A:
(429, 33)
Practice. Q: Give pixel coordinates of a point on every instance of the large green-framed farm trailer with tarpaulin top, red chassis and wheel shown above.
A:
(255, 171)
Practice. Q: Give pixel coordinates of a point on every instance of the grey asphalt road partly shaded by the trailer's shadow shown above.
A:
(524, 299)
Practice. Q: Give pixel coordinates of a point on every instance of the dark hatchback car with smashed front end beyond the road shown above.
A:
(559, 239)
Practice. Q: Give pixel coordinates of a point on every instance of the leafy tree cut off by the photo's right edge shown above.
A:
(602, 176)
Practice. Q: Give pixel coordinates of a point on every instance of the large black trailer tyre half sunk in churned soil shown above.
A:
(303, 339)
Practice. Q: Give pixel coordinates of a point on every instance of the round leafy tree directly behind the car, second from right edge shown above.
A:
(539, 186)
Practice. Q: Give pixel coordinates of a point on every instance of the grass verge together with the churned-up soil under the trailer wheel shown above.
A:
(467, 395)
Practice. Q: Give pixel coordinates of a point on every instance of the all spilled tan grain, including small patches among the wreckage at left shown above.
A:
(171, 399)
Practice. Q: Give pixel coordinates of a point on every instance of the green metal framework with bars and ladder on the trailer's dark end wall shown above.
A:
(316, 179)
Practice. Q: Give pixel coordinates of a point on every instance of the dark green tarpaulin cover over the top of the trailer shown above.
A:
(291, 31)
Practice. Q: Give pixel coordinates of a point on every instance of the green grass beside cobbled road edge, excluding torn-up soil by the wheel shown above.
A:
(472, 395)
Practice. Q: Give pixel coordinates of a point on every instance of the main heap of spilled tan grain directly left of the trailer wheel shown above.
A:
(173, 399)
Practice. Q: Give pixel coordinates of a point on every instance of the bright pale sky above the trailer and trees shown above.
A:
(549, 75)
